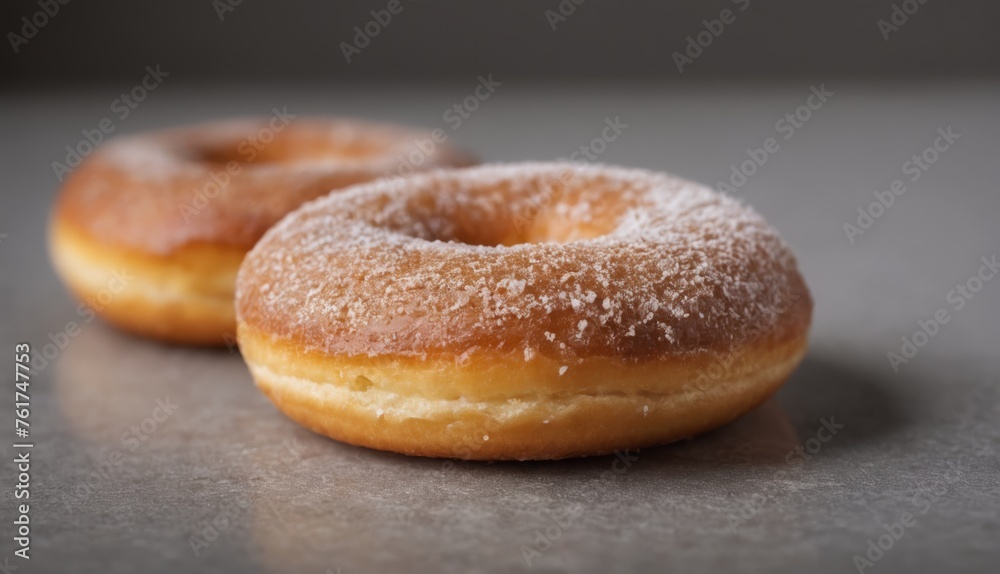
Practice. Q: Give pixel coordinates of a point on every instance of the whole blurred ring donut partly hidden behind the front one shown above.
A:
(149, 231)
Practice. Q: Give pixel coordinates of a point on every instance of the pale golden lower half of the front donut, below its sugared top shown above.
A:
(498, 408)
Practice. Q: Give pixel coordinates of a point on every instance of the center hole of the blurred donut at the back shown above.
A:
(268, 147)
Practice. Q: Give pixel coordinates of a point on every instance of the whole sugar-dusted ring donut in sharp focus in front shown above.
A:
(523, 311)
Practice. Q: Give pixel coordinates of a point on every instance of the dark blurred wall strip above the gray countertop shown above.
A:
(550, 41)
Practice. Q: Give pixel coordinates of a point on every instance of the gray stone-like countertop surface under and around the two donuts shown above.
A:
(113, 492)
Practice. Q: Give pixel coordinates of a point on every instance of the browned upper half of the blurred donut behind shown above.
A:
(228, 182)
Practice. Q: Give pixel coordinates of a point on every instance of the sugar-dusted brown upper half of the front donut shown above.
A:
(563, 260)
